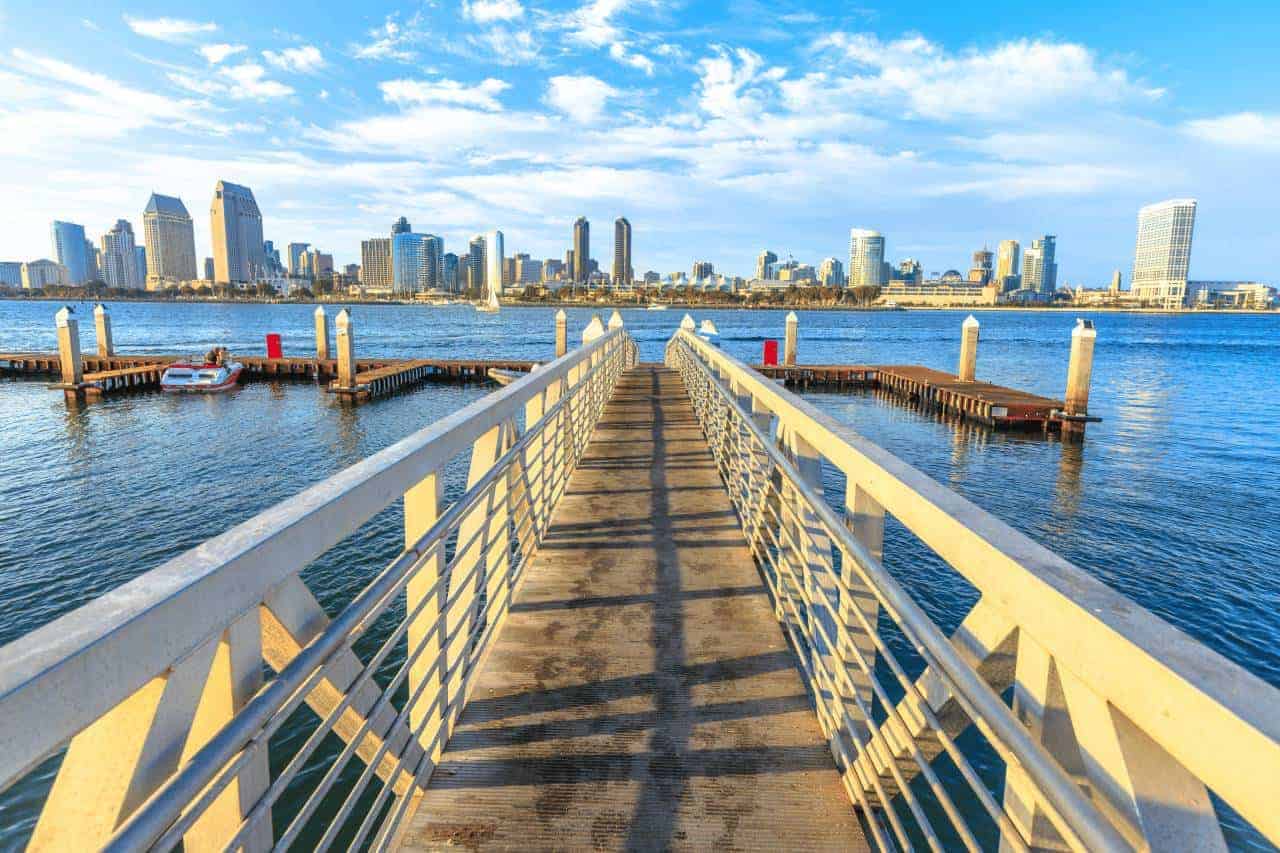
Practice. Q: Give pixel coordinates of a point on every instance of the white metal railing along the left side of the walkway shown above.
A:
(157, 691)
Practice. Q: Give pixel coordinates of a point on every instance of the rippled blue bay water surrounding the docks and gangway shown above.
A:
(1171, 500)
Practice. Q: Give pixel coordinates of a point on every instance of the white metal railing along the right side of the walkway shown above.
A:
(1117, 727)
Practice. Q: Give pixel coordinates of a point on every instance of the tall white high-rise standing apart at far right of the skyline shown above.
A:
(1163, 254)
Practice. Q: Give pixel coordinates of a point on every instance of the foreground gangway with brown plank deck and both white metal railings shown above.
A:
(657, 615)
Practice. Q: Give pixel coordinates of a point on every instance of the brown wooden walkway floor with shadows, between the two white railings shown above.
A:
(642, 695)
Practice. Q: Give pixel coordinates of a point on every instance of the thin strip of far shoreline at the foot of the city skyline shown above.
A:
(614, 304)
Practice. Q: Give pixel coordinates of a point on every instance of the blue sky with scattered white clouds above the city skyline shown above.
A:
(719, 129)
